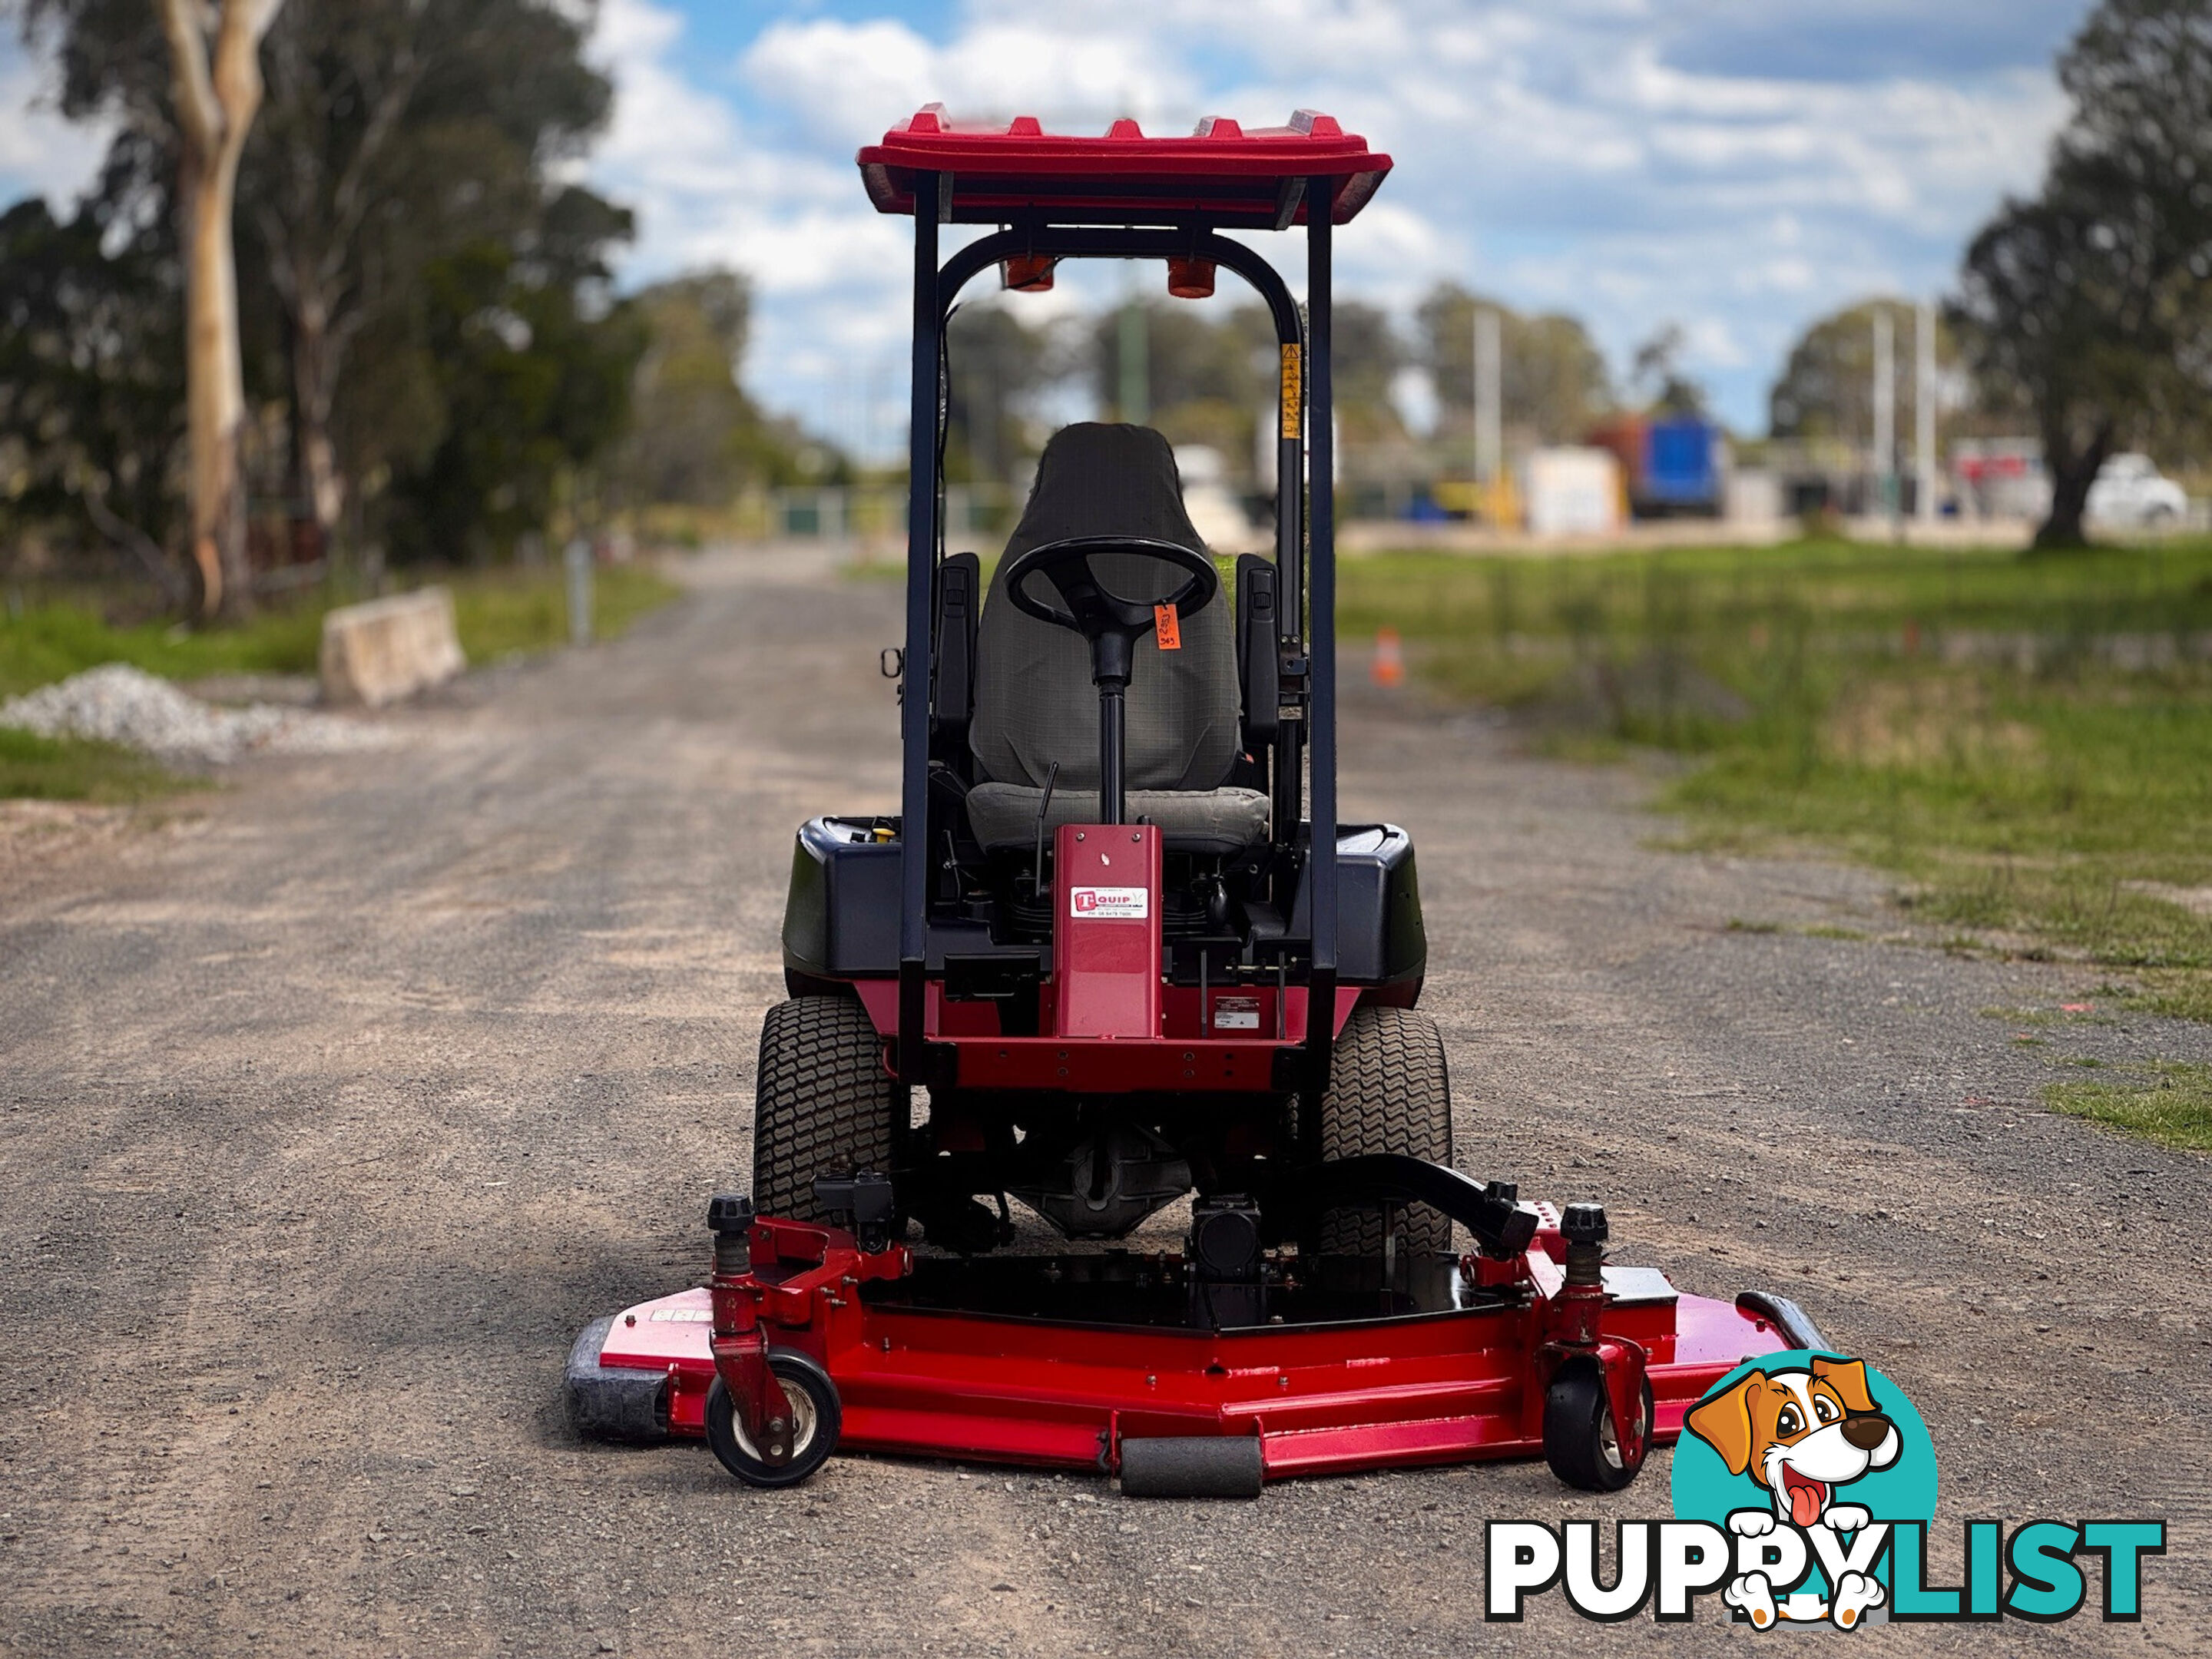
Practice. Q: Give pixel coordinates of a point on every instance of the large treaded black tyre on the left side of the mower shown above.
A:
(824, 1103)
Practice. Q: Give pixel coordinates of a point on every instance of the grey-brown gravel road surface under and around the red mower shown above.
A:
(335, 1107)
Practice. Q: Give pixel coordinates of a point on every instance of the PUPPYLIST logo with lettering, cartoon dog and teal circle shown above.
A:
(1804, 1494)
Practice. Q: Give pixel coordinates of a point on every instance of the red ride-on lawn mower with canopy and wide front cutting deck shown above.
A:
(1098, 937)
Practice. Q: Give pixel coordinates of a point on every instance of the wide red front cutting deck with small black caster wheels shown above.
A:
(1185, 1375)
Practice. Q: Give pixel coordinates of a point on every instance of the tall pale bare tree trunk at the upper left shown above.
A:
(218, 94)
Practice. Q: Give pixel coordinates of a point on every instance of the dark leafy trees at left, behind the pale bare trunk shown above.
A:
(435, 359)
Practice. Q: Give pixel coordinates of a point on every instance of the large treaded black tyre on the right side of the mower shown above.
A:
(1390, 1092)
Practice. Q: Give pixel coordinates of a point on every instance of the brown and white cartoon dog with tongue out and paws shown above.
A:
(1802, 1434)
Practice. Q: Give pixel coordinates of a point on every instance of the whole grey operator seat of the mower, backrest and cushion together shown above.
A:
(1034, 696)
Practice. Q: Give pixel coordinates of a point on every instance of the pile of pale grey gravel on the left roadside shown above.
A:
(129, 707)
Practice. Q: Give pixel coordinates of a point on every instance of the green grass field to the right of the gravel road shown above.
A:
(2027, 742)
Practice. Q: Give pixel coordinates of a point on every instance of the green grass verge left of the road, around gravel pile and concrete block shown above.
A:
(499, 614)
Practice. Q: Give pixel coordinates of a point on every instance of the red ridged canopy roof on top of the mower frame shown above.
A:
(1224, 174)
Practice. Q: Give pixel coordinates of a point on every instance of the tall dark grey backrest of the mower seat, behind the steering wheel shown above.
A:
(1034, 696)
